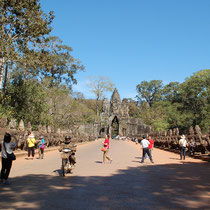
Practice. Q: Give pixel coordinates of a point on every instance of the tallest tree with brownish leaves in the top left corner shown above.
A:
(22, 24)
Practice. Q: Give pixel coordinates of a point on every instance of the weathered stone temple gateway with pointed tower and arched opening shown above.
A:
(115, 119)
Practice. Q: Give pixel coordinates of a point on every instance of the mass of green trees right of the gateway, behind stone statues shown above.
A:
(176, 105)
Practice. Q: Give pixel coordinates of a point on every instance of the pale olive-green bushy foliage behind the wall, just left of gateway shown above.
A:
(67, 112)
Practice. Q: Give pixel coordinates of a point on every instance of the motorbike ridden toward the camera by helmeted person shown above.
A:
(68, 161)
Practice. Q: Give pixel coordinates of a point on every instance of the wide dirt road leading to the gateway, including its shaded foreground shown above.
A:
(124, 184)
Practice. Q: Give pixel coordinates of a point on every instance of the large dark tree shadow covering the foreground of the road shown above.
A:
(172, 186)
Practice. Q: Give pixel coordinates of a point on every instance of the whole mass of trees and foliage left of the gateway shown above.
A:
(41, 69)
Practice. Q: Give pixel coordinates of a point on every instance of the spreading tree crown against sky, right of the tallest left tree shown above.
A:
(56, 63)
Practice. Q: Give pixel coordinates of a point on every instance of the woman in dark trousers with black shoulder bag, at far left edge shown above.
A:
(7, 156)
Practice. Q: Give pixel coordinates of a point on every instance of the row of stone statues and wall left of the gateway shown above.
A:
(53, 137)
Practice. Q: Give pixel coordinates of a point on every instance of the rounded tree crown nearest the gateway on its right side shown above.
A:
(149, 91)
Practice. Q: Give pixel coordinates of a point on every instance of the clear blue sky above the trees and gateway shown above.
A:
(134, 40)
